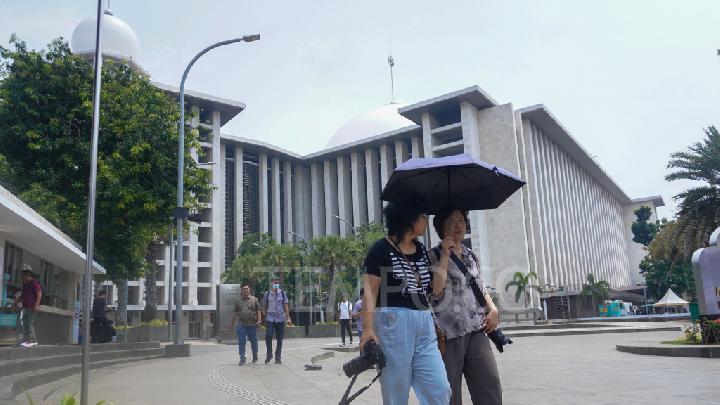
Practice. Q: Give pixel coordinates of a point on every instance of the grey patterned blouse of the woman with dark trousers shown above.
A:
(457, 309)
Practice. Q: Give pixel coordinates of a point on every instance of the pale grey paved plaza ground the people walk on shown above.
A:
(583, 369)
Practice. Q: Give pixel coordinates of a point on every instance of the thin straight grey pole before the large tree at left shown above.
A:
(87, 281)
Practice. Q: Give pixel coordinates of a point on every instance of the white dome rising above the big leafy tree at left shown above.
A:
(118, 39)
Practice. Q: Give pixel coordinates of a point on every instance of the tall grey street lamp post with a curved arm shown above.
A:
(180, 212)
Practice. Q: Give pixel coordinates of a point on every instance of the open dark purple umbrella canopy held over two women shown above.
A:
(460, 180)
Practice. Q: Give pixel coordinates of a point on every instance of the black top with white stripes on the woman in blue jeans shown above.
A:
(399, 286)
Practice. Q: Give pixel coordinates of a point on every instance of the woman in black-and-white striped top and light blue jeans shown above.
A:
(397, 315)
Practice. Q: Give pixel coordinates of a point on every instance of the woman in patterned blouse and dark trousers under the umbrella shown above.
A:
(464, 322)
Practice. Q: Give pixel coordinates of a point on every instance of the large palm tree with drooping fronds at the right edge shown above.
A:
(699, 209)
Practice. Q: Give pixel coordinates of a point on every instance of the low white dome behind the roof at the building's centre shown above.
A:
(377, 121)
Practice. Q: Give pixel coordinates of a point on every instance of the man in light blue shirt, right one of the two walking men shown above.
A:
(277, 313)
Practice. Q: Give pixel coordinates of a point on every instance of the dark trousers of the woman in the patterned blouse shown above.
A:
(472, 356)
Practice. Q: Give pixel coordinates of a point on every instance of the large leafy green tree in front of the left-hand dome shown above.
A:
(45, 126)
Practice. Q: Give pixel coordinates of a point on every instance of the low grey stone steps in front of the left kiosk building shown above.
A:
(22, 369)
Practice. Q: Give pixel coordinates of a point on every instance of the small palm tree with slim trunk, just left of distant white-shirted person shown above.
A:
(330, 252)
